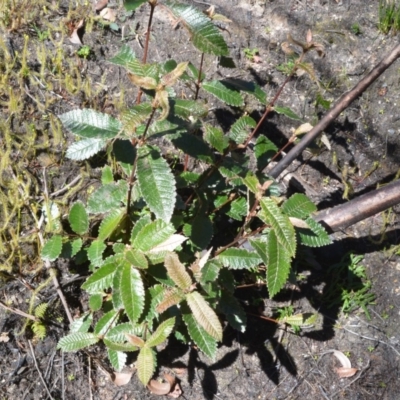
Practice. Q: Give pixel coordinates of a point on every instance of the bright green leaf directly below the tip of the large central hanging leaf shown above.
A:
(152, 235)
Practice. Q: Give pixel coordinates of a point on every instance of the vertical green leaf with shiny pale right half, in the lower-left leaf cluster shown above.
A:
(132, 292)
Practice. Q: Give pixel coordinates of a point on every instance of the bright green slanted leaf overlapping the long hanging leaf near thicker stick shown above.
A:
(271, 214)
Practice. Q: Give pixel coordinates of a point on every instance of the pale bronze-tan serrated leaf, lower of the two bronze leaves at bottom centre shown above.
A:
(204, 314)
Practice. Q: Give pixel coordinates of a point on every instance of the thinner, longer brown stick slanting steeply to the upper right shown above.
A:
(343, 102)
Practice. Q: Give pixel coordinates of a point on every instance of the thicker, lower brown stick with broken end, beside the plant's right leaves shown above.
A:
(360, 208)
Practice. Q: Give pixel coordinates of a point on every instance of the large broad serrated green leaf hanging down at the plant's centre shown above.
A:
(156, 182)
